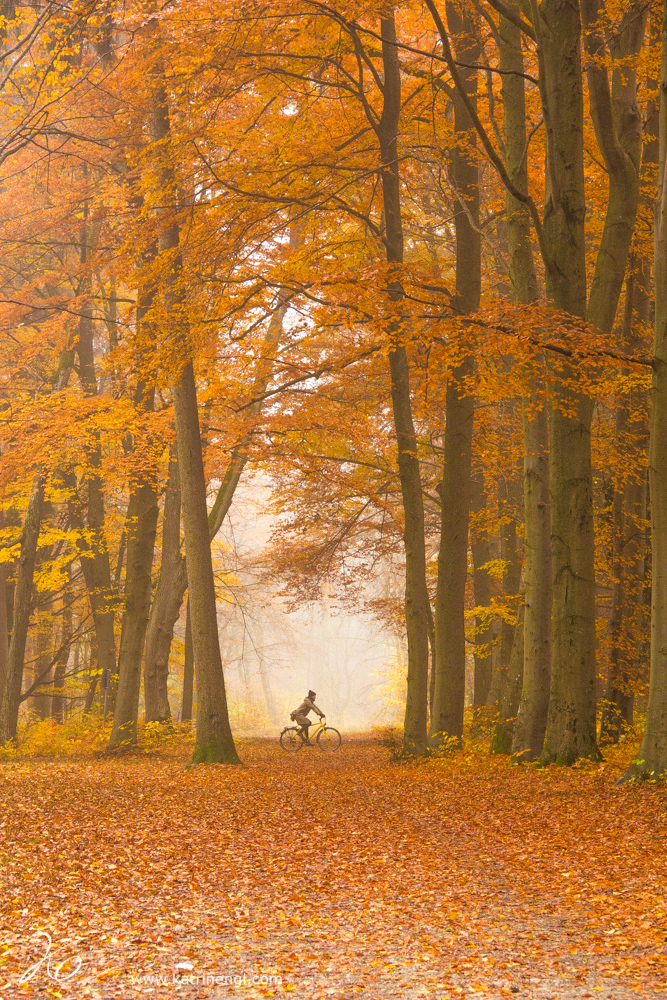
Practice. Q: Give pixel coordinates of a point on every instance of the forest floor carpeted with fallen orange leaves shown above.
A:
(342, 875)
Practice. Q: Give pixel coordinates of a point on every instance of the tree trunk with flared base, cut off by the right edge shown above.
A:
(651, 761)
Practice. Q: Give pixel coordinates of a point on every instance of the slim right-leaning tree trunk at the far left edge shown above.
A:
(9, 707)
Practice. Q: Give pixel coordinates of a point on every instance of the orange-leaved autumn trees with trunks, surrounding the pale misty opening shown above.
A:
(403, 264)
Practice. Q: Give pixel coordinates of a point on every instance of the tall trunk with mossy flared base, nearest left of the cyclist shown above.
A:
(214, 740)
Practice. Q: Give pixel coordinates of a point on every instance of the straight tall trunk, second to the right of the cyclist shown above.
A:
(449, 697)
